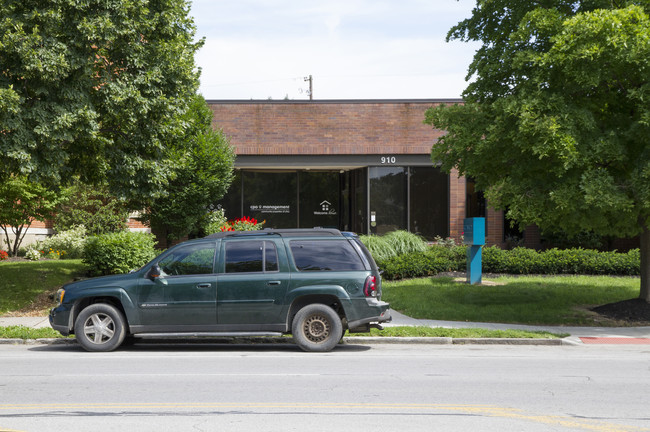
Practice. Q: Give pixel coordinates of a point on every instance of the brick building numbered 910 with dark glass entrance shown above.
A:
(358, 165)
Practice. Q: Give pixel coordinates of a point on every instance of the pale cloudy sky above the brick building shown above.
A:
(353, 49)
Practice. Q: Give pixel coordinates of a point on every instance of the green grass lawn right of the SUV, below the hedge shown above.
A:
(554, 300)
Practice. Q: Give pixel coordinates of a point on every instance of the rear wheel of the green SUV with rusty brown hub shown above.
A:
(317, 328)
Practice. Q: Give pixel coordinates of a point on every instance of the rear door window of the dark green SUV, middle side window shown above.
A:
(251, 256)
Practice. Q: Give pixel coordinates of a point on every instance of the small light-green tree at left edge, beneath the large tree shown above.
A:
(21, 203)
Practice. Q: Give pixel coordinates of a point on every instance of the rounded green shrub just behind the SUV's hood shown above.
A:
(118, 252)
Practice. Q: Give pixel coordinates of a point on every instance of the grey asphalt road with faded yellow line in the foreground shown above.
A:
(353, 388)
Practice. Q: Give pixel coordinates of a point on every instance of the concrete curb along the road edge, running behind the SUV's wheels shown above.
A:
(357, 340)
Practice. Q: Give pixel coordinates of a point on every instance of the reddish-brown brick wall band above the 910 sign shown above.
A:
(326, 127)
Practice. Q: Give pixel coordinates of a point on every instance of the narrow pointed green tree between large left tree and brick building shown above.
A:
(199, 178)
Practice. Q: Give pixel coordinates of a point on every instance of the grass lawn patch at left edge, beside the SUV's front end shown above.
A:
(21, 282)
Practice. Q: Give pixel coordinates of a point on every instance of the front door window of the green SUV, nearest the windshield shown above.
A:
(191, 259)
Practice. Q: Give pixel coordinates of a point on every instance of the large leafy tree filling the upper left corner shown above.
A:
(94, 88)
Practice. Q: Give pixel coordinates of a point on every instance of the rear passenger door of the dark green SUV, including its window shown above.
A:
(253, 281)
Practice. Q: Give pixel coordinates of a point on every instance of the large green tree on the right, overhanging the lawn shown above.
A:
(555, 124)
